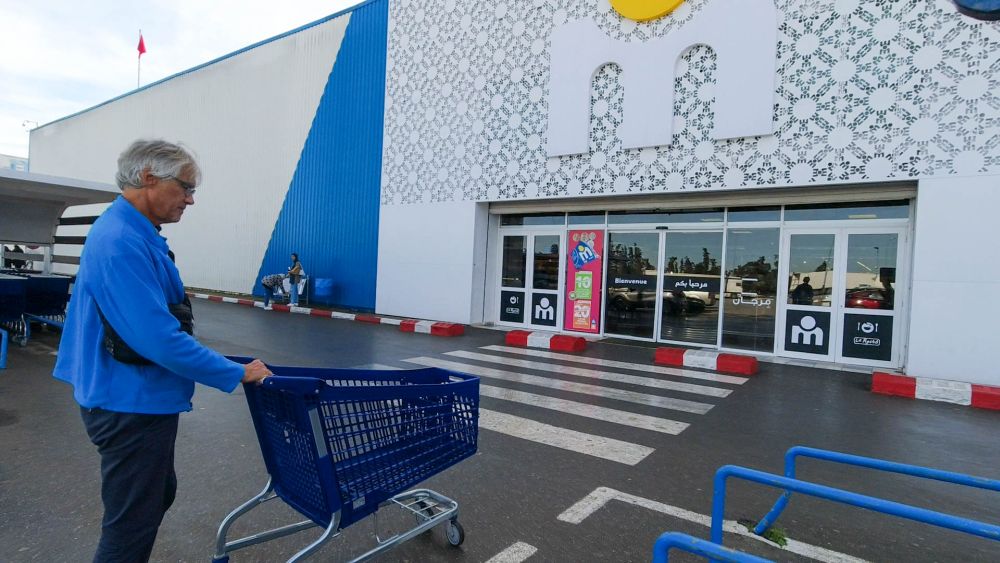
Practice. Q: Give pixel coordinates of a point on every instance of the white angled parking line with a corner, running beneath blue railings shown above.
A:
(601, 495)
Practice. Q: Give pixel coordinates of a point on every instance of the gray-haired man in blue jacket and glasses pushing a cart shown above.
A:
(127, 346)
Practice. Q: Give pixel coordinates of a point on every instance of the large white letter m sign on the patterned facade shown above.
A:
(743, 34)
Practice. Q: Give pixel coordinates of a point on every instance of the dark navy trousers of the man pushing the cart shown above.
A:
(138, 483)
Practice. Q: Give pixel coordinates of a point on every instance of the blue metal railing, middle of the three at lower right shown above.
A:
(973, 527)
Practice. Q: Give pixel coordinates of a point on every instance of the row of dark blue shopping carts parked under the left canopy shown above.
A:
(27, 298)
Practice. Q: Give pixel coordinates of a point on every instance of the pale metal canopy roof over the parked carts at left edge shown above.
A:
(31, 204)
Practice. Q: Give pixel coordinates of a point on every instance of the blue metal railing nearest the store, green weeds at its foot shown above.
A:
(871, 463)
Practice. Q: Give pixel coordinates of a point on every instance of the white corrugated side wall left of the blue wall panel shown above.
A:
(246, 116)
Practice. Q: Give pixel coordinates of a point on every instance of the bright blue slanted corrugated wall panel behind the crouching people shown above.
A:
(330, 213)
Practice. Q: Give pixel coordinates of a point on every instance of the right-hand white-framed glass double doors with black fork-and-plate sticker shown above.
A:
(839, 302)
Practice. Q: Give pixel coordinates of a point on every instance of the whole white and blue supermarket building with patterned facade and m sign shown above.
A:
(804, 179)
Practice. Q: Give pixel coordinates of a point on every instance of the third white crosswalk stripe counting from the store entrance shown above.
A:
(595, 390)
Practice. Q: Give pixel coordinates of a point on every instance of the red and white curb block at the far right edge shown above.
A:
(956, 392)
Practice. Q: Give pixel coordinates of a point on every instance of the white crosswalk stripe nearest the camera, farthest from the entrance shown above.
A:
(579, 442)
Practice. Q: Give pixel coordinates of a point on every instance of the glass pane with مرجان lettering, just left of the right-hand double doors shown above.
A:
(750, 305)
